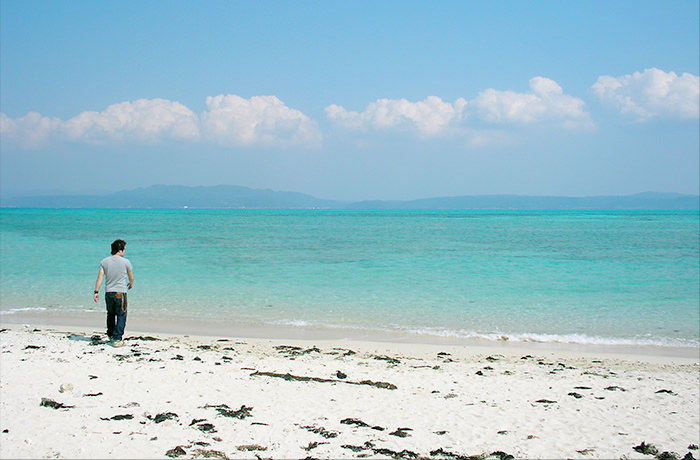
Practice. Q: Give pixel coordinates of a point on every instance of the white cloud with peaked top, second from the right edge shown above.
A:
(546, 102)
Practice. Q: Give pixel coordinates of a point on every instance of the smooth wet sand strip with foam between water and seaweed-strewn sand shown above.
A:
(260, 331)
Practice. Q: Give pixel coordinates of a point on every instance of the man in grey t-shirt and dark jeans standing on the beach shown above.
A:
(114, 270)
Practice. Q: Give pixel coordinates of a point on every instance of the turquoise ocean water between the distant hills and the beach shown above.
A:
(588, 277)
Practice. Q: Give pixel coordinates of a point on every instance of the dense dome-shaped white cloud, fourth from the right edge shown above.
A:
(260, 120)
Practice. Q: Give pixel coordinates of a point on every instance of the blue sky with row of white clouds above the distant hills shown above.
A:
(351, 100)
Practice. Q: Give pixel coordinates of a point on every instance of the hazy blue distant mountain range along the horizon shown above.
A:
(234, 197)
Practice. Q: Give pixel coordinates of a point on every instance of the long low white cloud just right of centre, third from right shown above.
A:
(430, 117)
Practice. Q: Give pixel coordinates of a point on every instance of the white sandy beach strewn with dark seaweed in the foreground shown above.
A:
(66, 393)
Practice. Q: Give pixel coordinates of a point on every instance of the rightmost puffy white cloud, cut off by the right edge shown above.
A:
(652, 93)
